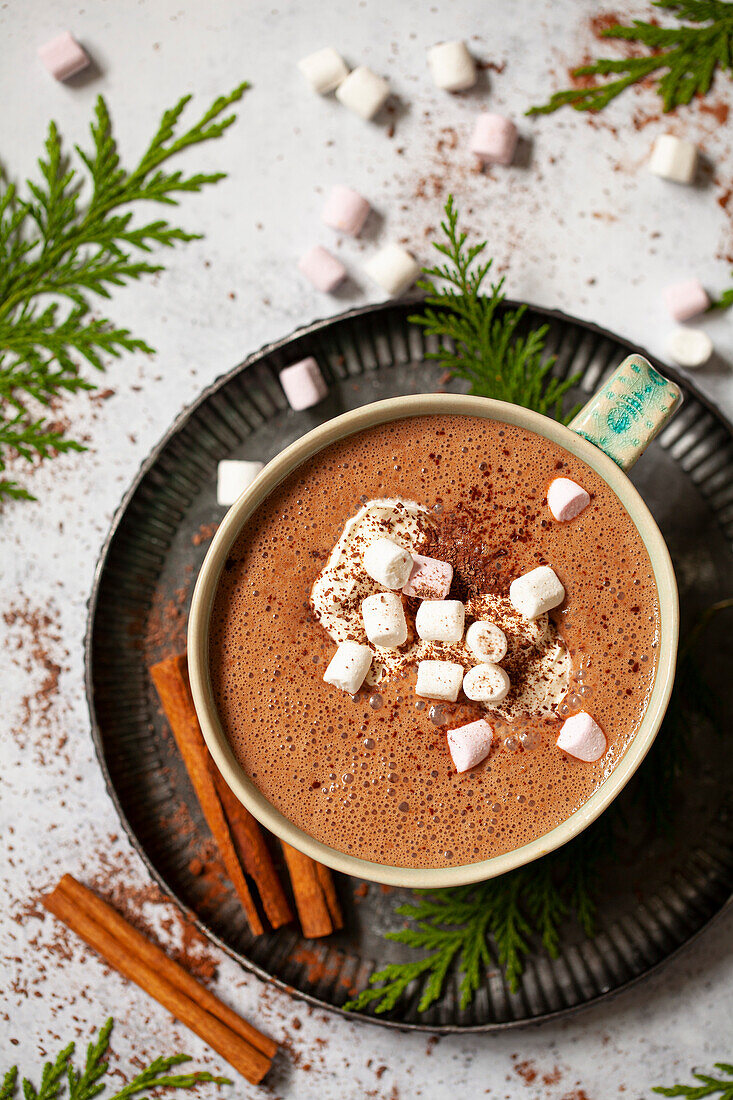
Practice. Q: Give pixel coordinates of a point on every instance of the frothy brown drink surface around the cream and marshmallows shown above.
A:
(373, 776)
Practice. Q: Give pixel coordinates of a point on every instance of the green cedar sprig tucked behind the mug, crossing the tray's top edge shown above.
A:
(480, 340)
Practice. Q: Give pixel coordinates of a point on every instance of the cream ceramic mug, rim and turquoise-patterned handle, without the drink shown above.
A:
(609, 434)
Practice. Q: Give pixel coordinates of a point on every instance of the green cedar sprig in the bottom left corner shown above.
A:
(60, 1076)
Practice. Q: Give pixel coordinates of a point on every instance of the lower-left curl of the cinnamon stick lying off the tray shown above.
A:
(236, 1050)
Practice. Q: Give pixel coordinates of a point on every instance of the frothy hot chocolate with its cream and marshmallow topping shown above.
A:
(375, 774)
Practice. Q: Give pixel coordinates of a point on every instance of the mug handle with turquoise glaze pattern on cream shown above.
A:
(629, 411)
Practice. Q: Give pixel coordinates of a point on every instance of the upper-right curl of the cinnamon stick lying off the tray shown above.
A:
(134, 941)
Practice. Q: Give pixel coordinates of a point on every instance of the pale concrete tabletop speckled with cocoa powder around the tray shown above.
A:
(579, 225)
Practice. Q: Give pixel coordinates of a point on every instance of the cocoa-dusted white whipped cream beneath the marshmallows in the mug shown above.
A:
(538, 661)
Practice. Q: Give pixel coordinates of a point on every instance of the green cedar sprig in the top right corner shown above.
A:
(688, 57)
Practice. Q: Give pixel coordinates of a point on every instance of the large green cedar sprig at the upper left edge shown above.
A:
(57, 254)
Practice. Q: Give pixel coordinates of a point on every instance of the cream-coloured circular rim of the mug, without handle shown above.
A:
(348, 424)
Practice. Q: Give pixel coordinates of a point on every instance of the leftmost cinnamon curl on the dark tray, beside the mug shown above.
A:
(171, 680)
